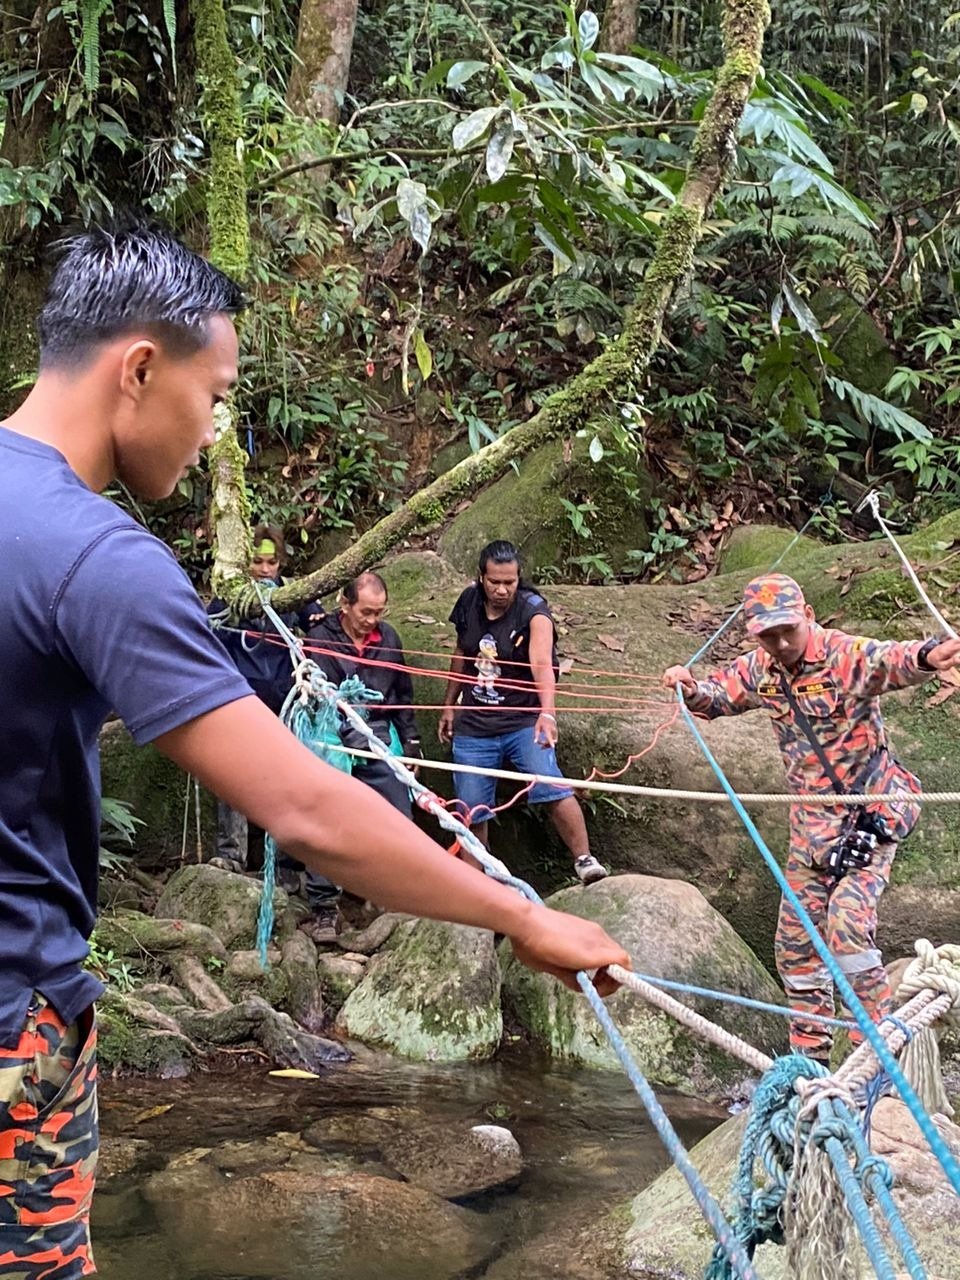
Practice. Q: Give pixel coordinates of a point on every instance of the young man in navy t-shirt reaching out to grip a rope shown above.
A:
(138, 350)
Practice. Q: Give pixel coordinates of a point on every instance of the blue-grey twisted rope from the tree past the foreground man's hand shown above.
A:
(323, 691)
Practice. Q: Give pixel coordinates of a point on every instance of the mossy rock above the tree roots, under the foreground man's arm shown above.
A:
(223, 902)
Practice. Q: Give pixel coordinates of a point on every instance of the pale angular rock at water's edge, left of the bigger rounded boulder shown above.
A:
(433, 996)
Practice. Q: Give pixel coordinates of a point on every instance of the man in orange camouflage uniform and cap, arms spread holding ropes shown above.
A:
(833, 682)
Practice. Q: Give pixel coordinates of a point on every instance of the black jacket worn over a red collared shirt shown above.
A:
(340, 659)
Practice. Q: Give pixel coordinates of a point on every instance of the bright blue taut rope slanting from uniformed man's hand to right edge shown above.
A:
(851, 999)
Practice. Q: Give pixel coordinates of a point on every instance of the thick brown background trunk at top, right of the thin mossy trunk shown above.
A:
(322, 62)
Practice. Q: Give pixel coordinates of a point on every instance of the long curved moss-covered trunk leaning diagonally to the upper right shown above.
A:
(619, 372)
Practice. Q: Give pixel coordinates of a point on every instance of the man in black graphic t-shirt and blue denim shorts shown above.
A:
(504, 714)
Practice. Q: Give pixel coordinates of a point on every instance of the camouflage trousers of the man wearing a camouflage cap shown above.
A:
(845, 916)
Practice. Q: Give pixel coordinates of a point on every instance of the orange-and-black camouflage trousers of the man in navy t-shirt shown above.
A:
(48, 1148)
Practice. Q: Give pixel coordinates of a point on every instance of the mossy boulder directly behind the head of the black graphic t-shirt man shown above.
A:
(528, 509)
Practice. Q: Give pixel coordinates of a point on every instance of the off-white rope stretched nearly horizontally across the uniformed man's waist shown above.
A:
(826, 798)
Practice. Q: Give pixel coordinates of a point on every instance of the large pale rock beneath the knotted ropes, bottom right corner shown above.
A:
(668, 1238)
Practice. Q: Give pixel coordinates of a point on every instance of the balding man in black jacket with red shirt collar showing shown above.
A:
(358, 642)
